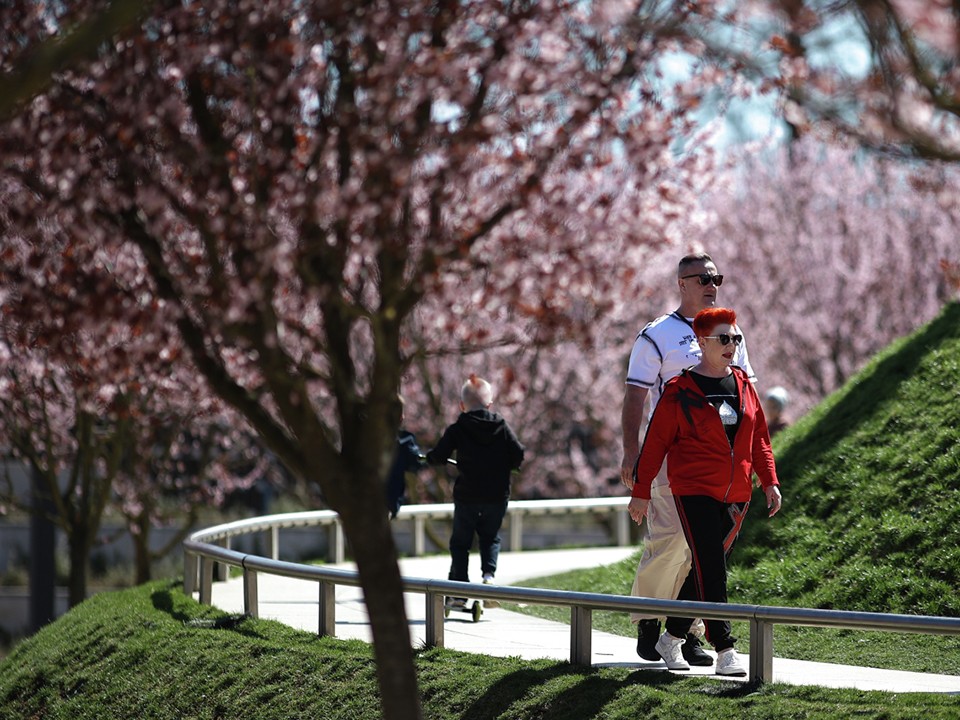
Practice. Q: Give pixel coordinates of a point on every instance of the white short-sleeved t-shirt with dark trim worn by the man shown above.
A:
(665, 348)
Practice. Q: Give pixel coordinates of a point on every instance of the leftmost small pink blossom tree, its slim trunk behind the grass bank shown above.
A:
(70, 388)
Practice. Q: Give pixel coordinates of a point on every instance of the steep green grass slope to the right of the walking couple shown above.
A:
(871, 483)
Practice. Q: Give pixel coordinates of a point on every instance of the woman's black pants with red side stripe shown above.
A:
(711, 527)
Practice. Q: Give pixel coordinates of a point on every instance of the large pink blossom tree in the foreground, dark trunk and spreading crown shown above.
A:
(286, 184)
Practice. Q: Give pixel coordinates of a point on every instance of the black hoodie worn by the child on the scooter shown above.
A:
(487, 450)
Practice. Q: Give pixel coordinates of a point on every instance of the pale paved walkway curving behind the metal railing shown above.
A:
(509, 634)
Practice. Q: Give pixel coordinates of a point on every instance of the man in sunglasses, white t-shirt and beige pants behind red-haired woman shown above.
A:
(663, 349)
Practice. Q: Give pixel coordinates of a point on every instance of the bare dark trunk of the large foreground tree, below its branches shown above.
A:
(376, 556)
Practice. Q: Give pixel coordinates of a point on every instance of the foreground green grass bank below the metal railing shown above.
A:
(151, 653)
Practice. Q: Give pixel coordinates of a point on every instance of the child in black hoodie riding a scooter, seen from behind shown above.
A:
(487, 450)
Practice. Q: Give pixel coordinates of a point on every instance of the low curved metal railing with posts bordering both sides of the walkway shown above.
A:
(201, 554)
